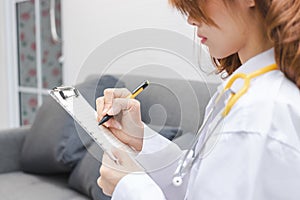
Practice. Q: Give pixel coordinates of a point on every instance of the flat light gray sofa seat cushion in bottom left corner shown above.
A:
(22, 186)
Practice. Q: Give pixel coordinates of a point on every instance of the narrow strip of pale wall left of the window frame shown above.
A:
(3, 72)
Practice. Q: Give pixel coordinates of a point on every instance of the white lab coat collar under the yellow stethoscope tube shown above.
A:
(257, 62)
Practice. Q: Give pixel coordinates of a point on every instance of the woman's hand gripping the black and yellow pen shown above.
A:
(126, 124)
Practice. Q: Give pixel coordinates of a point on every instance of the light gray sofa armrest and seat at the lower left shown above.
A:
(16, 184)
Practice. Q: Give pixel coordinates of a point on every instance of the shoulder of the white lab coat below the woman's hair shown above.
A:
(270, 107)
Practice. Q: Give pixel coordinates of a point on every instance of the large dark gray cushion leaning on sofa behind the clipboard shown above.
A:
(55, 143)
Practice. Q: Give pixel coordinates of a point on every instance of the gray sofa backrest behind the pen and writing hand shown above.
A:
(170, 102)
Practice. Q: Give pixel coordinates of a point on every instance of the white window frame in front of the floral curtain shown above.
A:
(12, 61)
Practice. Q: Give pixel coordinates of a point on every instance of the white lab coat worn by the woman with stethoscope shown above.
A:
(256, 157)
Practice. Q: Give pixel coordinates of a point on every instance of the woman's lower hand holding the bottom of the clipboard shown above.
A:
(111, 173)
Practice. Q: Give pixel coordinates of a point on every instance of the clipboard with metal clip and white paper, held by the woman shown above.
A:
(80, 110)
